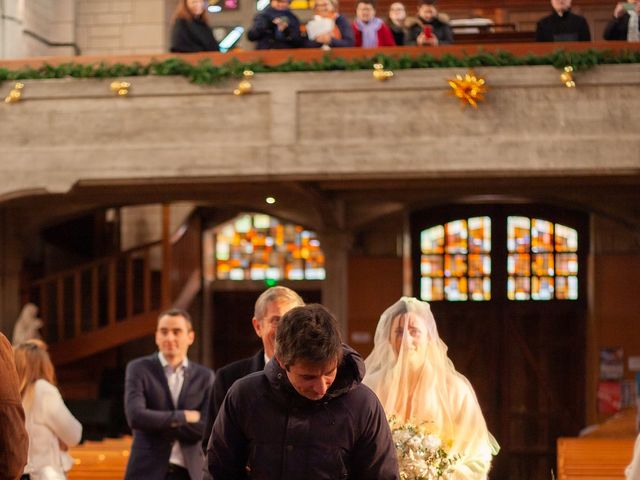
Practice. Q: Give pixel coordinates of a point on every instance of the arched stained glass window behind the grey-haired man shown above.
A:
(260, 247)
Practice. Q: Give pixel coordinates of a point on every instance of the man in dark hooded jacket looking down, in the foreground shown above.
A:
(307, 416)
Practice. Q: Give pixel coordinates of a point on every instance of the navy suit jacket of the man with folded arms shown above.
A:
(156, 423)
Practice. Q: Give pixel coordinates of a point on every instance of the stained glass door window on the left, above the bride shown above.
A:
(455, 261)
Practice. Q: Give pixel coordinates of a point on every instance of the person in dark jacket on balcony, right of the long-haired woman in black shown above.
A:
(276, 27)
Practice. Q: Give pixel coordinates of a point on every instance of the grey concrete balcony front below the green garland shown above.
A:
(331, 125)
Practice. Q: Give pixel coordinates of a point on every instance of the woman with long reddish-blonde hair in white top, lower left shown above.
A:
(51, 426)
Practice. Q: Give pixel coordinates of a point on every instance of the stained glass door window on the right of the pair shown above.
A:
(542, 261)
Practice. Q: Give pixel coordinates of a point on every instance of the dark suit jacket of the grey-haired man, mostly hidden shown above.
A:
(225, 377)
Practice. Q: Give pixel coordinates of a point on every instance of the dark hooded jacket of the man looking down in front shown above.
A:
(266, 430)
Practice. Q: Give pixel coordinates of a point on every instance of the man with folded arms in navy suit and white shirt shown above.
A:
(166, 402)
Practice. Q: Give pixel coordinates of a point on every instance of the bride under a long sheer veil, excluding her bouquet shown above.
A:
(415, 381)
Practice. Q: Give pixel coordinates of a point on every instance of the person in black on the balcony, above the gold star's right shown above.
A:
(562, 25)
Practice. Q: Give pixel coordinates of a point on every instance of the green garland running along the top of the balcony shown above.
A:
(206, 73)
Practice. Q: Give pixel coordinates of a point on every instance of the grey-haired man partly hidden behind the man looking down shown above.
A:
(272, 304)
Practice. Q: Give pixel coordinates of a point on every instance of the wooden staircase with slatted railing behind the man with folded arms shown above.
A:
(110, 301)
